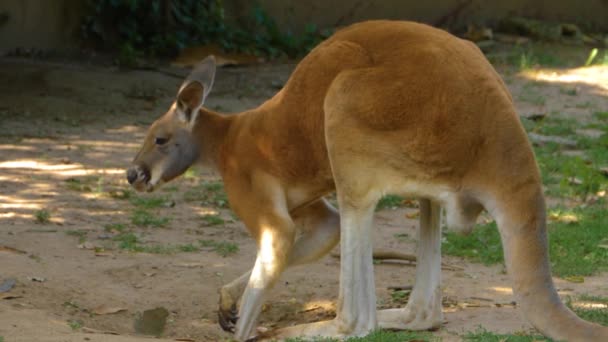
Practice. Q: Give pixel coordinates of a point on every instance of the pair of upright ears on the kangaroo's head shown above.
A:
(194, 90)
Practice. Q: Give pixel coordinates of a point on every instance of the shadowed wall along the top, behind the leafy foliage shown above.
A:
(54, 24)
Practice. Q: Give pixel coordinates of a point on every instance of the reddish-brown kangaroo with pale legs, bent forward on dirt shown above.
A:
(380, 107)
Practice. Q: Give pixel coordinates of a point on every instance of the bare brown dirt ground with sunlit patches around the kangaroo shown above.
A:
(61, 121)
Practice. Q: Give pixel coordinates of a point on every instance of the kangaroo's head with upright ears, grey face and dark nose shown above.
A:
(170, 146)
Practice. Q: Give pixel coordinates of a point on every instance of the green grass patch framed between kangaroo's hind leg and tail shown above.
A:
(483, 244)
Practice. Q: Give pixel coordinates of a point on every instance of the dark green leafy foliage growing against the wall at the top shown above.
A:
(137, 28)
